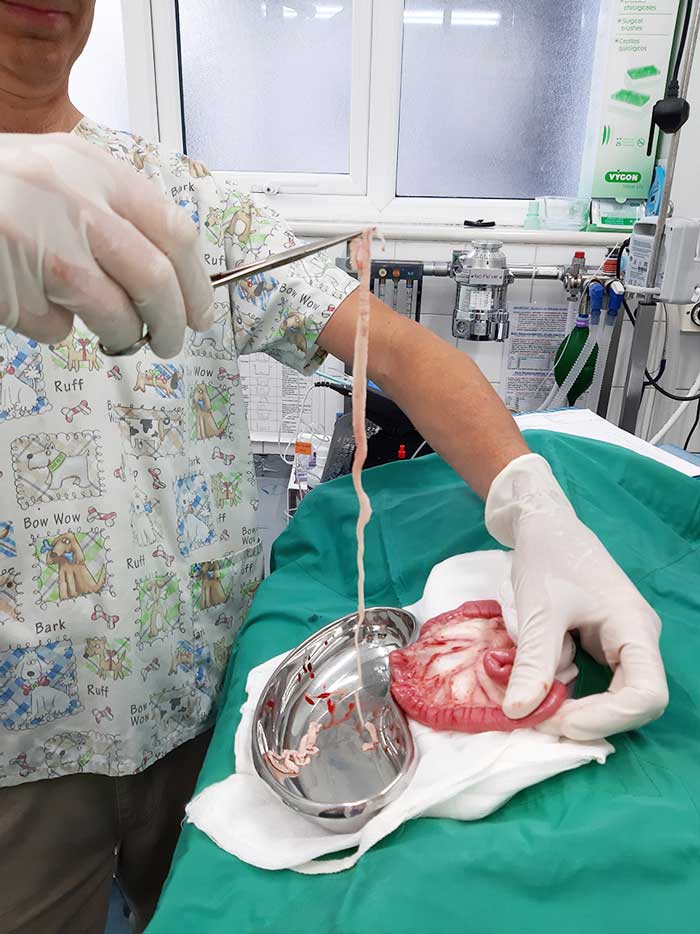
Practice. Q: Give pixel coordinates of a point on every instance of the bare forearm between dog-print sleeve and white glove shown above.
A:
(440, 389)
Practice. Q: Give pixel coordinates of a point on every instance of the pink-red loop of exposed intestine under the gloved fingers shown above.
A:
(454, 677)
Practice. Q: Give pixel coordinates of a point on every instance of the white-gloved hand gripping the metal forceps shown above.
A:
(83, 234)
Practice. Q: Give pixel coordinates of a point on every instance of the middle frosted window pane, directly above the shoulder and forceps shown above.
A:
(266, 85)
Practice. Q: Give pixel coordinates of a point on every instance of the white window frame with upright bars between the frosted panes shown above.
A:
(368, 193)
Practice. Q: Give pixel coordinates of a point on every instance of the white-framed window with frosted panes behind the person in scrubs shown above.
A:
(381, 110)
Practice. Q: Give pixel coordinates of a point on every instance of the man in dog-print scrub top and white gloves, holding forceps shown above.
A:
(128, 544)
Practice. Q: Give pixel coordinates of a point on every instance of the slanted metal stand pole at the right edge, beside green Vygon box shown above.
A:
(646, 312)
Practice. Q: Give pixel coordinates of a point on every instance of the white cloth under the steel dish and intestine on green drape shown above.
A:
(459, 776)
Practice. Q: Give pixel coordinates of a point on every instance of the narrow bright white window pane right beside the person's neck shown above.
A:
(98, 80)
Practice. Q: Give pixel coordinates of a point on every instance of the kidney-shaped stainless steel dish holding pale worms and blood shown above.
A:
(342, 786)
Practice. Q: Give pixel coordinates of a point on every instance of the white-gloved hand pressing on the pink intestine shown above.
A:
(564, 579)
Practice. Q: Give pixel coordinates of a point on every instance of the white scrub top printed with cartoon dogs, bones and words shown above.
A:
(128, 546)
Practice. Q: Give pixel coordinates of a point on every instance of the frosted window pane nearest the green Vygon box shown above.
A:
(495, 96)
